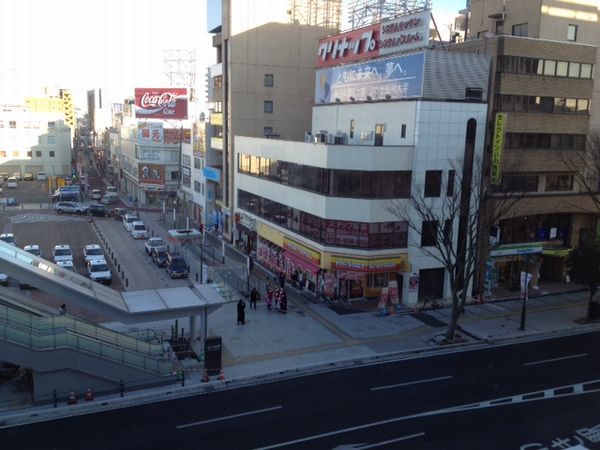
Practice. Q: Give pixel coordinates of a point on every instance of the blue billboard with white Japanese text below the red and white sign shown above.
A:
(394, 78)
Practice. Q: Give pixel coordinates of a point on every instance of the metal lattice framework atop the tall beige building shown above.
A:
(321, 13)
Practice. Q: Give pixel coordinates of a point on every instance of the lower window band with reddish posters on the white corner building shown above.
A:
(325, 231)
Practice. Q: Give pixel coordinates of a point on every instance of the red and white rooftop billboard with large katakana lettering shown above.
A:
(384, 38)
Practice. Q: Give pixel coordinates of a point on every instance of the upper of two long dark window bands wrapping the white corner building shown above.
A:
(331, 182)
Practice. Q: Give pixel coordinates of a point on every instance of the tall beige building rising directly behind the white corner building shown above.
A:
(262, 83)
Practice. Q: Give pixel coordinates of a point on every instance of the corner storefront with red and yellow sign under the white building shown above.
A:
(365, 278)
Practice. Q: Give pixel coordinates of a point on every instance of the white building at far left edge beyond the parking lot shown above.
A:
(34, 142)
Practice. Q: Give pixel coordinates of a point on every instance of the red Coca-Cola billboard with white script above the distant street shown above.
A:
(161, 103)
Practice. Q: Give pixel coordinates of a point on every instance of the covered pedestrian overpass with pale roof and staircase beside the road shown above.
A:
(66, 352)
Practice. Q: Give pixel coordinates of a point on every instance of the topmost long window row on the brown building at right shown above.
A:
(546, 67)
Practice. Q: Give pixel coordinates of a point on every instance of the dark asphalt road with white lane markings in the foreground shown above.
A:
(544, 393)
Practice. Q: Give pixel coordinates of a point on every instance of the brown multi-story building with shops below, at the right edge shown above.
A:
(544, 57)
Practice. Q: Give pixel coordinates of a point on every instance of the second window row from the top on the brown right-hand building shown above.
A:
(547, 105)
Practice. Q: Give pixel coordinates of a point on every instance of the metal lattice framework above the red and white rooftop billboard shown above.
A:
(366, 12)
